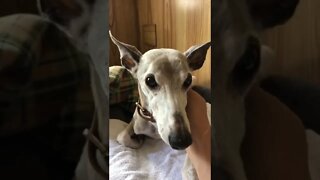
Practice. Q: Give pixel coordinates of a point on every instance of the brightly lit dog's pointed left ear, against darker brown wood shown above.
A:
(129, 55)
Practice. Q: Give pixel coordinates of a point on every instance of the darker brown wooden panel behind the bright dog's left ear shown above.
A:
(123, 23)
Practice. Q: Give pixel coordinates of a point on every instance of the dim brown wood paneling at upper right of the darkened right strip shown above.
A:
(297, 44)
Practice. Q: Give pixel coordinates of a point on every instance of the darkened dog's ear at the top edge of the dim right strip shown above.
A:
(269, 13)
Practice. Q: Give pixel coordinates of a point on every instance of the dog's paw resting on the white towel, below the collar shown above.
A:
(133, 141)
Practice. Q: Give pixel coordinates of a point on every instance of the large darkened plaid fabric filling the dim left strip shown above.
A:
(45, 97)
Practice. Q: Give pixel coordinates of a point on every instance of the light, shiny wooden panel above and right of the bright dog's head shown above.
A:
(179, 25)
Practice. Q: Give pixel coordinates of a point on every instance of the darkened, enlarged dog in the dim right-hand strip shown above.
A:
(236, 61)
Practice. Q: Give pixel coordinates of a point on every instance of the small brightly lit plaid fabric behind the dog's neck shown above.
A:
(123, 88)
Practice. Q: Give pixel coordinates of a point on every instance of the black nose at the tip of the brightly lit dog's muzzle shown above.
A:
(180, 141)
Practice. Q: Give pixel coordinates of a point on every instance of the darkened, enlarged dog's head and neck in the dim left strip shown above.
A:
(86, 22)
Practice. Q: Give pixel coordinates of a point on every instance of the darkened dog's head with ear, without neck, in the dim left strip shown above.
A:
(86, 22)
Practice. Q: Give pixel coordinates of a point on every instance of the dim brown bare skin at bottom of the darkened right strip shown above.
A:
(274, 147)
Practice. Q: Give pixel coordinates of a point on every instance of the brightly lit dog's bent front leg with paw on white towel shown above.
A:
(129, 138)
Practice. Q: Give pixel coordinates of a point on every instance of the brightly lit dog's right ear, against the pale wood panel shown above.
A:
(196, 55)
